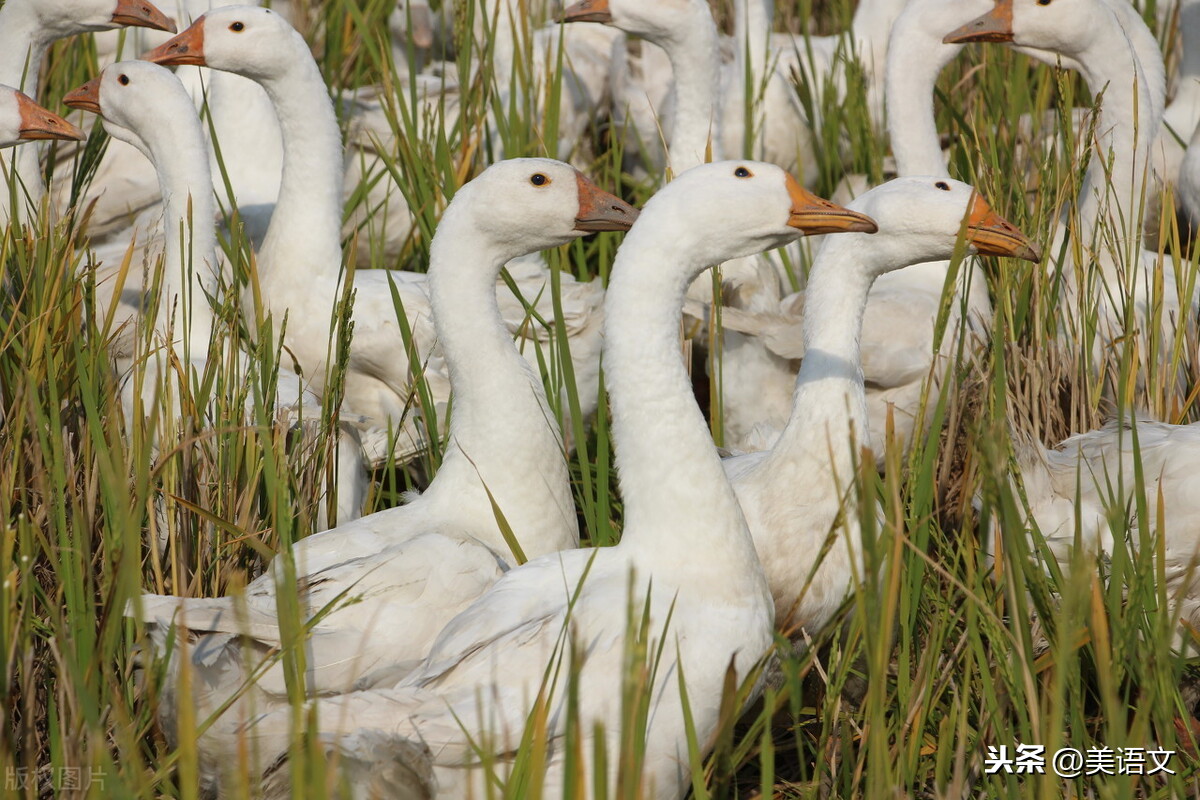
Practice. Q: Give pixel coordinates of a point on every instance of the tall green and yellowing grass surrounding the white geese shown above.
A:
(934, 664)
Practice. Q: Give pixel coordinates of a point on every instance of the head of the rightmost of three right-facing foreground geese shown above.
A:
(920, 221)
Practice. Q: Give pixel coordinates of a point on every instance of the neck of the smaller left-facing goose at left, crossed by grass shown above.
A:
(177, 147)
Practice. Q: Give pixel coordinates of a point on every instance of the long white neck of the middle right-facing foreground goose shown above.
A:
(671, 477)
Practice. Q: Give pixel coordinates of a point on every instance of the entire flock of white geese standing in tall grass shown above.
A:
(431, 625)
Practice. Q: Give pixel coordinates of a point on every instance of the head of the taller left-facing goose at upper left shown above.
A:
(249, 41)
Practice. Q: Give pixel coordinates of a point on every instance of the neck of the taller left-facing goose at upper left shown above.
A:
(307, 227)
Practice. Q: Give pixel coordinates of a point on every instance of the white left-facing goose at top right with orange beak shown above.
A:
(1117, 269)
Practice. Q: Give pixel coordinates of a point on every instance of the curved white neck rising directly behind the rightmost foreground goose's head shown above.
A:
(916, 57)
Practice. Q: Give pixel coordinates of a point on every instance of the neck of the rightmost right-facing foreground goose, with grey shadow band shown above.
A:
(830, 404)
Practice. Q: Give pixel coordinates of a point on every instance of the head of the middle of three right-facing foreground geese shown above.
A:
(730, 209)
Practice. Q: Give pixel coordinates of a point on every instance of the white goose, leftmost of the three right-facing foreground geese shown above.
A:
(413, 568)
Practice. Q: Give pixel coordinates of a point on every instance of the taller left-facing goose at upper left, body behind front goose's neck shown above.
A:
(304, 238)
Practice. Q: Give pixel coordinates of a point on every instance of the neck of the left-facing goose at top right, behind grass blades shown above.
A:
(1129, 125)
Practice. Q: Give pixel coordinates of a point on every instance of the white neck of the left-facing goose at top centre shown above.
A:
(694, 52)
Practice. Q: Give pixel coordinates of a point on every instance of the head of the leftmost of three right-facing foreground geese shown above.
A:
(523, 206)
